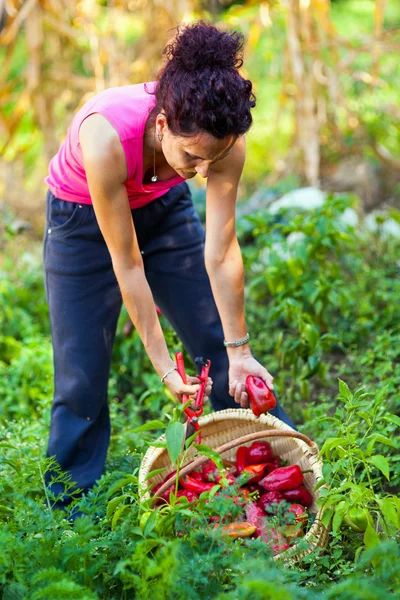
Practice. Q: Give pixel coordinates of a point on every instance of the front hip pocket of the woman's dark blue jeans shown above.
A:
(62, 216)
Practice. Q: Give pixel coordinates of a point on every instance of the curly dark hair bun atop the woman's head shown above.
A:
(203, 45)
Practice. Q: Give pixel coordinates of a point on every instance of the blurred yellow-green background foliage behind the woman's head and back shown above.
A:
(325, 75)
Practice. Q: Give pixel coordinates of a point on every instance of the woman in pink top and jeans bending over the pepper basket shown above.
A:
(121, 227)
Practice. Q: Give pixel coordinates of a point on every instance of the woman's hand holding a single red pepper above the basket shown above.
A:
(239, 368)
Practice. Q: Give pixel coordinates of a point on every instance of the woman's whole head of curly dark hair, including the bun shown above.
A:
(199, 87)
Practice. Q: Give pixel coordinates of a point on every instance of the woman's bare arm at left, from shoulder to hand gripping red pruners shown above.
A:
(106, 172)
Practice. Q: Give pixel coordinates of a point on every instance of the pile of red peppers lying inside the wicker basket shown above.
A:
(272, 497)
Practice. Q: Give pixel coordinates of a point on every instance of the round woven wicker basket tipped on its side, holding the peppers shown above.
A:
(225, 430)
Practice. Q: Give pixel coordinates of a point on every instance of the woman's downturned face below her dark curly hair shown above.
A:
(191, 155)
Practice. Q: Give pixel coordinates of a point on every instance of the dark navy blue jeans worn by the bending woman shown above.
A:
(84, 304)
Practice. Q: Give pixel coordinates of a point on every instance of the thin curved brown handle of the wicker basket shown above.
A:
(250, 437)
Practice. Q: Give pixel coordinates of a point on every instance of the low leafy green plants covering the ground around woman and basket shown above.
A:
(322, 306)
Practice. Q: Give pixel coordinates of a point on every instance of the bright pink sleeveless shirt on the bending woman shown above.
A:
(126, 108)
